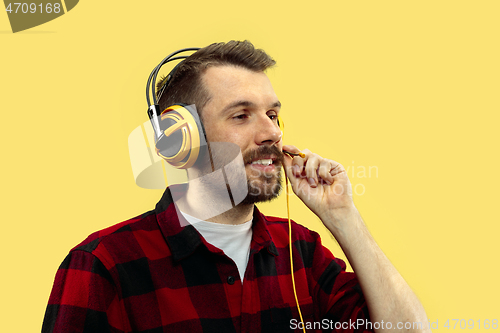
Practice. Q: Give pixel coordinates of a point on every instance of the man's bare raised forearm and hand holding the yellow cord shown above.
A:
(324, 187)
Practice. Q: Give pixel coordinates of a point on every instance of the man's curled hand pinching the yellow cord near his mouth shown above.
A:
(322, 184)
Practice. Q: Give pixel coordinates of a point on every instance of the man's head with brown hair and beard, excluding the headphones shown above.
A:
(237, 104)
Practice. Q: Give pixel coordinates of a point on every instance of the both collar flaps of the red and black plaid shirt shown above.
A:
(183, 239)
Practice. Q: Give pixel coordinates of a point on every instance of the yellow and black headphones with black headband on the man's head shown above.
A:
(179, 133)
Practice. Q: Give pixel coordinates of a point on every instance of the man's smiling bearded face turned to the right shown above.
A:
(243, 110)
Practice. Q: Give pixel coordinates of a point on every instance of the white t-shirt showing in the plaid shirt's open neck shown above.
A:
(234, 240)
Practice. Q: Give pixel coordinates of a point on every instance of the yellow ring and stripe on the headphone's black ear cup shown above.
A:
(190, 144)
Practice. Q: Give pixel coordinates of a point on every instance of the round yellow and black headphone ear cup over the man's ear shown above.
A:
(182, 136)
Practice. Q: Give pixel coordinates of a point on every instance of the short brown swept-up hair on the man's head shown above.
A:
(186, 85)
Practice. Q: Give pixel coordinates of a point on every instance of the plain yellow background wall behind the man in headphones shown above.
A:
(410, 87)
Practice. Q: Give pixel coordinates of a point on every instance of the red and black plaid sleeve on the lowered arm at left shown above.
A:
(83, 298)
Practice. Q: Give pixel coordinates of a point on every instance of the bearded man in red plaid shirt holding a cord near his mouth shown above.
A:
(167, 270)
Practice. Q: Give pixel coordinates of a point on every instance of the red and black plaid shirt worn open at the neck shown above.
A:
(150, 274)
